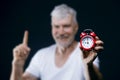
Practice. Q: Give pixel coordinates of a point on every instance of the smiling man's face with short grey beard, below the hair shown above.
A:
(64, 30)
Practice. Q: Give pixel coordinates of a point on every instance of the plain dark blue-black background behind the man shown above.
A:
(16, 16)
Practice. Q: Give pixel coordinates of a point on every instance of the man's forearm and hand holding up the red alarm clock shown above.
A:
(91, 72)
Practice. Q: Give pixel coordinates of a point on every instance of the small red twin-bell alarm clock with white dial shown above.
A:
(87, 39)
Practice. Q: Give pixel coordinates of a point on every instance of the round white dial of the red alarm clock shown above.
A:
(87, 42)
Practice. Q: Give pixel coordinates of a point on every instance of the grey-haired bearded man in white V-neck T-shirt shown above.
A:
(61, 61)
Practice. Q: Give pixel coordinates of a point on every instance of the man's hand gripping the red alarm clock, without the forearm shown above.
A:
(89, 56)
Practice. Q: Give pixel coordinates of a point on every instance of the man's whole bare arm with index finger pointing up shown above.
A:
(20, 54)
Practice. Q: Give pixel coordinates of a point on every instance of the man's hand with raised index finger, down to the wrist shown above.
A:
(20, 52)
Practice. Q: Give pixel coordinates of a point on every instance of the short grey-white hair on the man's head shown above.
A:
(62, 11)
